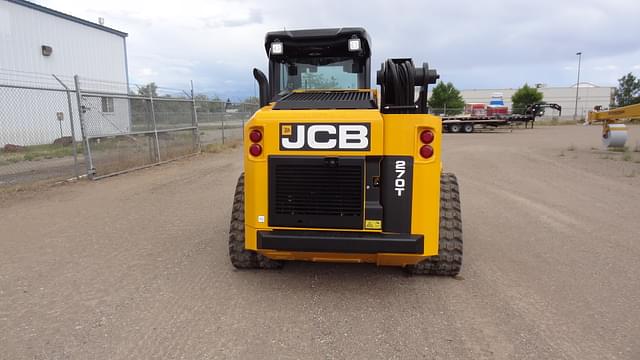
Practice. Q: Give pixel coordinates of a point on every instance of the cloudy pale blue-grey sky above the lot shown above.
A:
(473, 44)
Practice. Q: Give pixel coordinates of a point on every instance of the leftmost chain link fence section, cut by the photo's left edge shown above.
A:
(38, 124)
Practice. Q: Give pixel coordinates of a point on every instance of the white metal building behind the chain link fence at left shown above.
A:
(36, 42)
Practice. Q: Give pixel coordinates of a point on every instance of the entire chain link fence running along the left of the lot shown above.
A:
(62, 127)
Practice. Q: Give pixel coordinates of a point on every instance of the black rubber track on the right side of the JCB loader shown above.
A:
(449, 259)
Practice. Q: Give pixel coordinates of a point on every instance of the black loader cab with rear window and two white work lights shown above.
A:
(318, 60)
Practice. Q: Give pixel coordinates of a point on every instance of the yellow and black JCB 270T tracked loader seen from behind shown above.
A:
(337, 171)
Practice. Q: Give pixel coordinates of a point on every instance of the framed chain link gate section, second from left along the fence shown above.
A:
(124, 131)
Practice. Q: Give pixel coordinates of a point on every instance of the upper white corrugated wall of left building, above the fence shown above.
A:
(77, 48)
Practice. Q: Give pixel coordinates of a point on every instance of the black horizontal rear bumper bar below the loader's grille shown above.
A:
(341, 242)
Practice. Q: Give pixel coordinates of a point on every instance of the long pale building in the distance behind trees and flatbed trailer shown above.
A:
(589, 95)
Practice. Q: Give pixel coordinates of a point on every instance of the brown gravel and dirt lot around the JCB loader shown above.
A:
(135, 266)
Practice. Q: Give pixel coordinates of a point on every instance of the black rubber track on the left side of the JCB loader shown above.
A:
(240, 257)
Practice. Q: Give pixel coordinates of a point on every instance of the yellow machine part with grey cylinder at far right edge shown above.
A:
(614, 132)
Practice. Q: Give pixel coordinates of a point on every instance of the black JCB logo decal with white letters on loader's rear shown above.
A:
(352, 136)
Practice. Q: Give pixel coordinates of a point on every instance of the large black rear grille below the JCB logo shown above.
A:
(316, 192)
